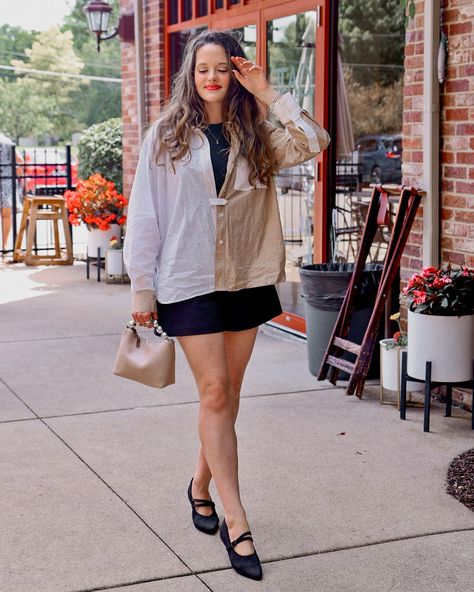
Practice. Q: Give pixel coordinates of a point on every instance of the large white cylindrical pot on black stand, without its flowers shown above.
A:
(446, 342)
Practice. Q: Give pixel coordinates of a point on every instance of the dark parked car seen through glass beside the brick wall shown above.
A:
(381, 156)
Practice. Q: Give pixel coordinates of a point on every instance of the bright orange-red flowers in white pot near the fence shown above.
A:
(96, 203)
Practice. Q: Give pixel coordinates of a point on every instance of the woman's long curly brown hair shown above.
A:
(184, 111)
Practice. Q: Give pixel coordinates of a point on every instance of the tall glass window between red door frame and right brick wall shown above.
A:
(369, 116)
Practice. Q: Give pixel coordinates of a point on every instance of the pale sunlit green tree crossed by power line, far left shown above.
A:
(53, 51)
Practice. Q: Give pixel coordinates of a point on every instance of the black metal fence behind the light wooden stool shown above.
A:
(39, 171)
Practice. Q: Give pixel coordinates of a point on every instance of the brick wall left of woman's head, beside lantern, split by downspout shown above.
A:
(154, 82)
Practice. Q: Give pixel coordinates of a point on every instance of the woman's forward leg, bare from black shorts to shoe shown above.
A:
(207, 358)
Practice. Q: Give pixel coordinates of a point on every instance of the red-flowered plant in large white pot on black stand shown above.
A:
(441, 323)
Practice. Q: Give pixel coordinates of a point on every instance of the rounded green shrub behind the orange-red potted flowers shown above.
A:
(100, 151)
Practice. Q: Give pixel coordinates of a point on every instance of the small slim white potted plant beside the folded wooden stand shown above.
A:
(390, 361)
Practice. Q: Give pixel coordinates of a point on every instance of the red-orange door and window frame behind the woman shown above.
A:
(259, 12)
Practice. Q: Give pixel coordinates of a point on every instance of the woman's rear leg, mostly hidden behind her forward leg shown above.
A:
(238, 349)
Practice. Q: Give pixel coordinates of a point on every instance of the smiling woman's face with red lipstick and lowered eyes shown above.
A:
(212, 73)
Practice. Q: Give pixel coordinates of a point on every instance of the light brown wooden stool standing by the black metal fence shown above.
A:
(43, 208)
